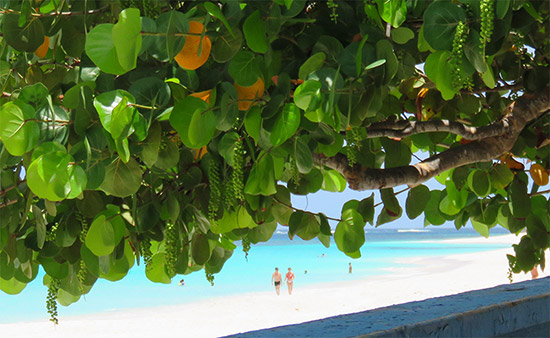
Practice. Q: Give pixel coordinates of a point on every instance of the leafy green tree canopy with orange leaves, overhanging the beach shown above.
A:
(162, 132)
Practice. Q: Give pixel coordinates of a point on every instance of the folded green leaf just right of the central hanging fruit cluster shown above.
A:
(261, 180)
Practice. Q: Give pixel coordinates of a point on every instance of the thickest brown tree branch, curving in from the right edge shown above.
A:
(526, 109)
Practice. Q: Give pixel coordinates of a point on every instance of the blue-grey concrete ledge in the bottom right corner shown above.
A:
(511, 310)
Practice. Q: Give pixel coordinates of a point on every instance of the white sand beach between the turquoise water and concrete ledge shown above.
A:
(422, 278)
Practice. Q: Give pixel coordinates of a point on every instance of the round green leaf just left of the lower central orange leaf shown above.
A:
(194, 122)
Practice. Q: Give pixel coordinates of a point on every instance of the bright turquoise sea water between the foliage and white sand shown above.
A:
(240, 275)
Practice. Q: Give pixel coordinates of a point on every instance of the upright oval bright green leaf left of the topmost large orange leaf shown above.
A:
(127, 38)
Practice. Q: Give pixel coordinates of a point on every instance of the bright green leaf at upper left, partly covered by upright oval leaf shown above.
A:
(101, 49)
